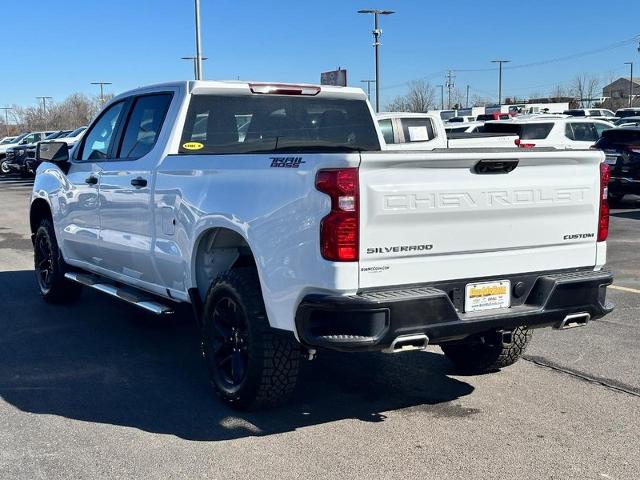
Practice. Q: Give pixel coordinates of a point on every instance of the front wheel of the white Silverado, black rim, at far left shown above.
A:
(55, 288)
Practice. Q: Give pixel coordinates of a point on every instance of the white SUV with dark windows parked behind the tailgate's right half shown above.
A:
(569, 133)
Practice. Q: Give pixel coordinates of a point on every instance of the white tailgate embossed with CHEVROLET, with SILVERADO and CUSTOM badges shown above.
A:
(429, 216)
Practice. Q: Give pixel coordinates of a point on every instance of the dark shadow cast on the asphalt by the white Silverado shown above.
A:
(102, 361)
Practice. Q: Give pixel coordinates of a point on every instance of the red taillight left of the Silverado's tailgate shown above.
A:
(340, 230)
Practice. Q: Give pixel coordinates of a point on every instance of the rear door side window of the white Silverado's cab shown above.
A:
(144, 124)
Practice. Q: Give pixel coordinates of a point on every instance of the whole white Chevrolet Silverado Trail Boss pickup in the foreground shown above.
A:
(273, 210)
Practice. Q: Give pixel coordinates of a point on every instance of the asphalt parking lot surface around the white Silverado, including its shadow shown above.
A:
(99, 390)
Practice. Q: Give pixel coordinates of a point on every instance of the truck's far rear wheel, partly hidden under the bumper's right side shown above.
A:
(488, 353)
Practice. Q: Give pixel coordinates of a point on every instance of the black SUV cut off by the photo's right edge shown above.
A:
(622, 149)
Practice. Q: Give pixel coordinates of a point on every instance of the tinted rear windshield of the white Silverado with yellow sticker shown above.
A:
(277, 123)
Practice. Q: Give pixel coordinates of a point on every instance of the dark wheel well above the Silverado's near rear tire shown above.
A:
(217, 251)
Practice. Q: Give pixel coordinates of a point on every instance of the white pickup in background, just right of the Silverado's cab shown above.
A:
(427, 131)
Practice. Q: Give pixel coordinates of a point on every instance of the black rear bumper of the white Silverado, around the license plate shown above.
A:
(373, 319)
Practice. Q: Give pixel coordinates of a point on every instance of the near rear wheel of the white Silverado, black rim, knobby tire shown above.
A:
(250, 364)
